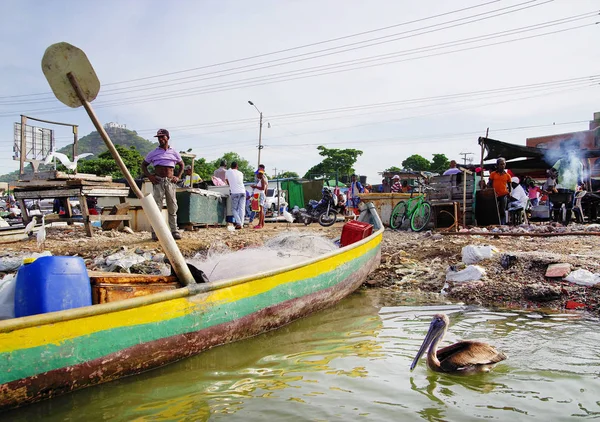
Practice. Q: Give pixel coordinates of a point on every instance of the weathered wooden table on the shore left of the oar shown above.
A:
(64, 189)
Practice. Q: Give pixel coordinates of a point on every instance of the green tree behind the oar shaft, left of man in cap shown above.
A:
(105, 165)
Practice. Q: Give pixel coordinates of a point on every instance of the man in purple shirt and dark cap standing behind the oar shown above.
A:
(164, 180)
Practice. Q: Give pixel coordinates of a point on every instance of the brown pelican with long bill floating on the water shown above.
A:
(464, 357)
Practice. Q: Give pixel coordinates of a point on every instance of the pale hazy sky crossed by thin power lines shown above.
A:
(390, 78)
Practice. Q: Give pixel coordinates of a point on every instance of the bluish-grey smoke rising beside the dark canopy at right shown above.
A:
(569, 153)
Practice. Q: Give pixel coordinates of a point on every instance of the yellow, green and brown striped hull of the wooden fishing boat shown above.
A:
(43, 356)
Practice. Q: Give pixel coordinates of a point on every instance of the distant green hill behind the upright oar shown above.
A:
(93, 143)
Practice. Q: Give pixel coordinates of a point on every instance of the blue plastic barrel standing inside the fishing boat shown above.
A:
(52, 283)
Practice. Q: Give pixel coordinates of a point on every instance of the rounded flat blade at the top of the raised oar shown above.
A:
(63, 58)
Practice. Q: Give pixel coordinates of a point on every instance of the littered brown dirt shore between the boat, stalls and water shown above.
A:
(412, 263)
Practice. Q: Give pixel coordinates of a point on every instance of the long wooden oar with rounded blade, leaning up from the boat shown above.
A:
(75, 84)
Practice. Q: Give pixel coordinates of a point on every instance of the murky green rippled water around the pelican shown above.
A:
(351, 362)
